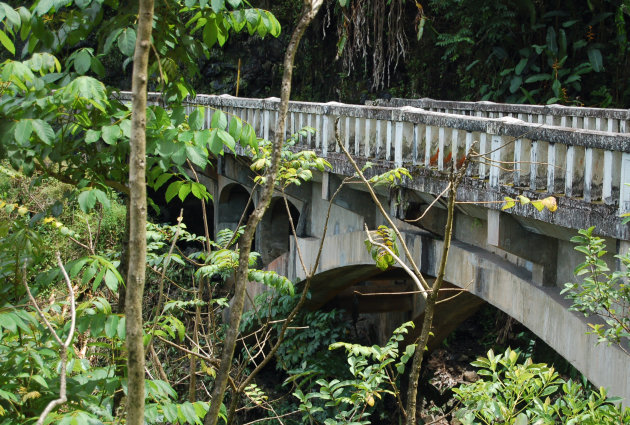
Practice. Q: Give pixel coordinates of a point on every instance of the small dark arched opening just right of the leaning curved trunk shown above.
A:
(275, 229)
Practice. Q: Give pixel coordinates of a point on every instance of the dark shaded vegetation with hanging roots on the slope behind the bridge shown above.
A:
(520, 51)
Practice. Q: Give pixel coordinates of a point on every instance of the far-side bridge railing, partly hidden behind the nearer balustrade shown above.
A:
(609, 120)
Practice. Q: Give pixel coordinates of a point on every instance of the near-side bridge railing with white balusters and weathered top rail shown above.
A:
(586, 164)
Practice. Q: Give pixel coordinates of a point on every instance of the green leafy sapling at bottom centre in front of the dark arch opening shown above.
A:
(375, 370)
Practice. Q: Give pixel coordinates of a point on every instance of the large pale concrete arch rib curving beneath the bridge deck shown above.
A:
(495, 280)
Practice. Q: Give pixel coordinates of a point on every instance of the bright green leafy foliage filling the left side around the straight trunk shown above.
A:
(60, 120)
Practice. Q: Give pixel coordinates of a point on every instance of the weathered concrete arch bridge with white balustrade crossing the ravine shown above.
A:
(516, 260)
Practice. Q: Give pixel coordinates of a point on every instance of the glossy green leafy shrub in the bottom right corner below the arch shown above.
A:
(516, 393)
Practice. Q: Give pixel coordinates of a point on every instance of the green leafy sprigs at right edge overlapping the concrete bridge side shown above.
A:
(601, 292)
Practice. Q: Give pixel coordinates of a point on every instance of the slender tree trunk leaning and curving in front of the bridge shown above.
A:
(218, 392)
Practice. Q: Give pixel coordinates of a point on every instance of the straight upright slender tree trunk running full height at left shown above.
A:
(137, 217)
